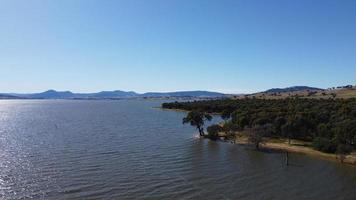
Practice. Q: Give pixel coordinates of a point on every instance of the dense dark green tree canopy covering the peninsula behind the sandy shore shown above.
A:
(329, 123)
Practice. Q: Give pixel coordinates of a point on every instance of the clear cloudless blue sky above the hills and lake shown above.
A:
(169, 45)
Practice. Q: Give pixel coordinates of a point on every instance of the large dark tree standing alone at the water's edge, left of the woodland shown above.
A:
(197, 118)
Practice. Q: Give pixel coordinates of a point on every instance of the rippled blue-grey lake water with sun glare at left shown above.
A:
(127, 149)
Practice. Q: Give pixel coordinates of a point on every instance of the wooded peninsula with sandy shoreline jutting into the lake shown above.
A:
(310, 124)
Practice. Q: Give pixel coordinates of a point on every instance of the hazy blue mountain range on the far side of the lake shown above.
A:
(117, 94)
